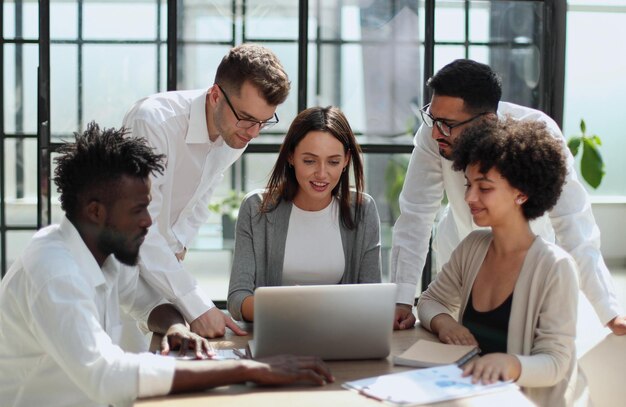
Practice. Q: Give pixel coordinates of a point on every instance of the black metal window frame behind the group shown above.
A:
(552, 71)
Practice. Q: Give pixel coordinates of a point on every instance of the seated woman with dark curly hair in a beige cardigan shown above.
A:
(505, 289)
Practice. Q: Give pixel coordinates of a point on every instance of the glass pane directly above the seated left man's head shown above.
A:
(115, 76)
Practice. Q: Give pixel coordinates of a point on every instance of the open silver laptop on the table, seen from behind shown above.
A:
(344, 321)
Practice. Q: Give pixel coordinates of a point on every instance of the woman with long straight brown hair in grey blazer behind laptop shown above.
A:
(307, 226)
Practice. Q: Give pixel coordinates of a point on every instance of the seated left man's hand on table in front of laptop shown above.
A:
(287, 369)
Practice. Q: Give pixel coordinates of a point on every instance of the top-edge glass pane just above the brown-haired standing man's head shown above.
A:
(264, 16)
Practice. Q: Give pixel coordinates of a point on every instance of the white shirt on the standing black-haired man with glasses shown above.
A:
(429, 174)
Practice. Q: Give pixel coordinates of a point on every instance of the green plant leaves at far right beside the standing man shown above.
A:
(591, 162)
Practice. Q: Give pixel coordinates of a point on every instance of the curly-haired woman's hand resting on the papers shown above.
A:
(493, 367)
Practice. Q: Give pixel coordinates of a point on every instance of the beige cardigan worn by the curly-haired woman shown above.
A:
(542, 325)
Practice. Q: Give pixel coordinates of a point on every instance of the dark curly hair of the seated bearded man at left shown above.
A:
(90, 167)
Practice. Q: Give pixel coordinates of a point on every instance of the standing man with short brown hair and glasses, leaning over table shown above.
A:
(201, 133)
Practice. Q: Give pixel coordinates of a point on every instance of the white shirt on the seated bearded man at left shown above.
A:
(59, 328)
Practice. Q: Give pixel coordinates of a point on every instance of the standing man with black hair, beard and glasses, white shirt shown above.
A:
(464, 93)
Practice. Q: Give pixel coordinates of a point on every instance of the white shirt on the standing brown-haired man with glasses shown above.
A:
(174, 124)
